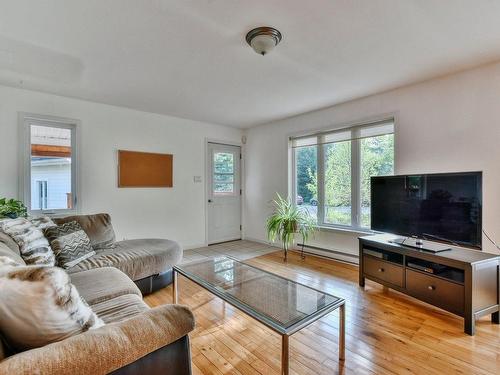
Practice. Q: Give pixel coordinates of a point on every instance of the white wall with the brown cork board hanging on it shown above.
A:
(177, 213)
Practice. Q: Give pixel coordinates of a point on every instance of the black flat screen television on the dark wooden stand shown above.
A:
(444, 207)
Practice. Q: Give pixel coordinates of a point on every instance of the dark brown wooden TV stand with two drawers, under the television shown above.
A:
(461, 281)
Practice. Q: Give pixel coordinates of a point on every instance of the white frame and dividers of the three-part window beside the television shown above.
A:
(354, 129)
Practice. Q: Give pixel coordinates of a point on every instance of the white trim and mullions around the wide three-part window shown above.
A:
(355, 172)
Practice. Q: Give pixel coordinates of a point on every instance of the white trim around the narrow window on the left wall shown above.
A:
(24, 120)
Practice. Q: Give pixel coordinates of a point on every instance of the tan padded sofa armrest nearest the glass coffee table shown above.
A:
(108, 348)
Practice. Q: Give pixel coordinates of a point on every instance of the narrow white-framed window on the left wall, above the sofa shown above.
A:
(49, 181)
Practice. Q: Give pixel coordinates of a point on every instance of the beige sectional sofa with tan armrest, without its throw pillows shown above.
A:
(135, 338)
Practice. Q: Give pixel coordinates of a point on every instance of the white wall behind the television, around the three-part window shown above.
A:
(443, 125)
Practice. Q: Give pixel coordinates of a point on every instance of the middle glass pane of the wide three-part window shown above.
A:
(338, 183)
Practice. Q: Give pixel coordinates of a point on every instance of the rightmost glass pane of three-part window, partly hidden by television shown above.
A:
(377, 159)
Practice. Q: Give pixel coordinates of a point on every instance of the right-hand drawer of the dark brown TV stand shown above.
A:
(436, 291)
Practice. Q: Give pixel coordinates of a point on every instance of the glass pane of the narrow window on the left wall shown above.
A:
(50, 168)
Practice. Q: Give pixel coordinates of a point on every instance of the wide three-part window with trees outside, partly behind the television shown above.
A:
(332, 171)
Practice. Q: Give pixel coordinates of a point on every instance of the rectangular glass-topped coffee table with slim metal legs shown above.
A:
(281, 304)
